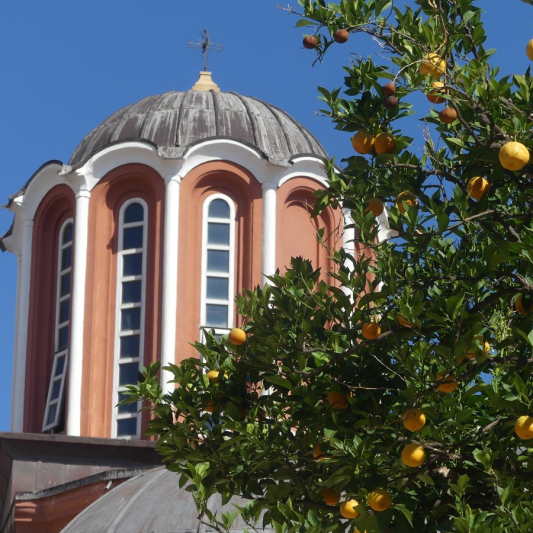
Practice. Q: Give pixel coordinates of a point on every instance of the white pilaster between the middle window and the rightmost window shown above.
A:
(170, 276)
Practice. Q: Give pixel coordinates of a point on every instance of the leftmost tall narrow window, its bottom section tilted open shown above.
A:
(55, 398)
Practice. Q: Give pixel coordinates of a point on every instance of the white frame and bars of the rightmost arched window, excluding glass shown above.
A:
(205, 274)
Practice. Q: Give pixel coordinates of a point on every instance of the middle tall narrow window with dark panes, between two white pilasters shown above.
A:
(129, 339)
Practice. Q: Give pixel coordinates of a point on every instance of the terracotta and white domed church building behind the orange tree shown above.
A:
(165, 211)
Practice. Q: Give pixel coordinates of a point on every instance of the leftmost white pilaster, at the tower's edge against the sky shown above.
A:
(21, 327)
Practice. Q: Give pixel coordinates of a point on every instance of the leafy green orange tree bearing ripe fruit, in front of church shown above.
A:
(408, 406)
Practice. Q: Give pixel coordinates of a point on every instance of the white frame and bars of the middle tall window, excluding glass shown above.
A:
(119, 306)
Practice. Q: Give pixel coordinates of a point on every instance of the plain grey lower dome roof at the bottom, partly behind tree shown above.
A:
(152, 503)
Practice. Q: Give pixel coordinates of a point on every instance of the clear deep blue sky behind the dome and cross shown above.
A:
(66, 65)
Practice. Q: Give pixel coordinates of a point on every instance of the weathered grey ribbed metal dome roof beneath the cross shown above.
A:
(174, 121)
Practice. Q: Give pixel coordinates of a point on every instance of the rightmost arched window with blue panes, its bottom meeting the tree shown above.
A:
(218, 264)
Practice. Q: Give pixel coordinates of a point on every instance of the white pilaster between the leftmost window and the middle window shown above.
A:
(75, 369)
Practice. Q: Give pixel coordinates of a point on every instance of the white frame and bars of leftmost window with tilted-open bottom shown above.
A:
(60, 325)
